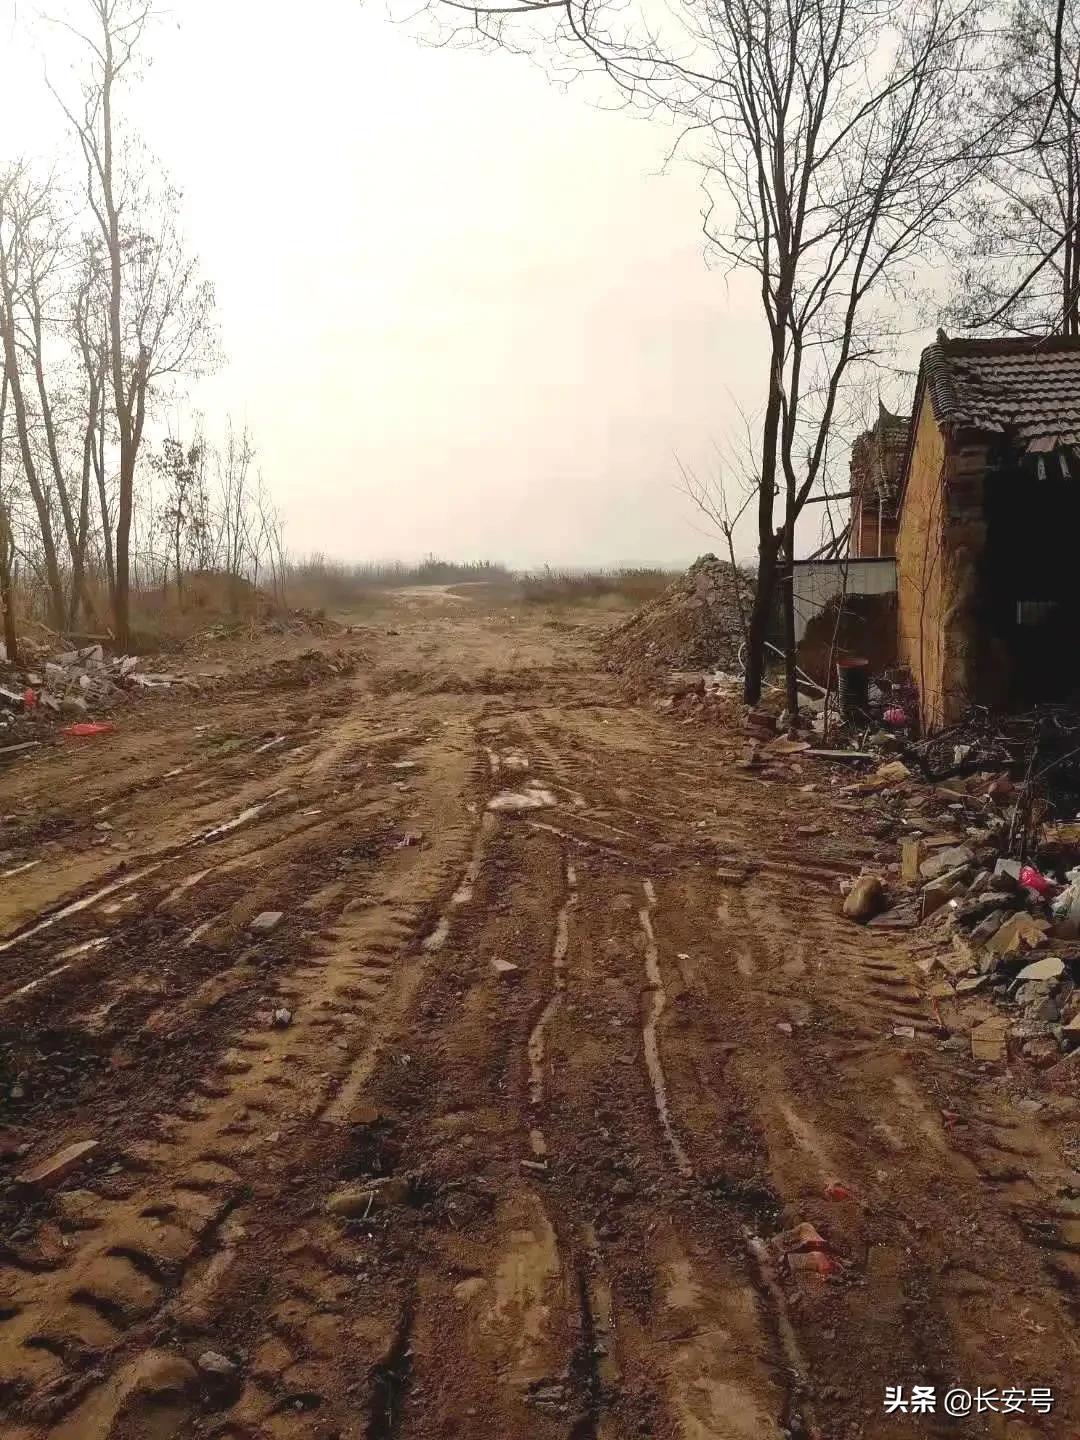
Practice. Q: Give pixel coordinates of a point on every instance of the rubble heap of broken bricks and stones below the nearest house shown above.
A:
(987, 879)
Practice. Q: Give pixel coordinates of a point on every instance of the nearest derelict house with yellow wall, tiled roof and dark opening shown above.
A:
(989, 523)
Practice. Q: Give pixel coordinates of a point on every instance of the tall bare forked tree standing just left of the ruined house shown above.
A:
(833, 135)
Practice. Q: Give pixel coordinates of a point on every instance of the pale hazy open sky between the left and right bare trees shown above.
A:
(462, 310)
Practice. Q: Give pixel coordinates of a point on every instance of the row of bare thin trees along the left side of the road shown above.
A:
(103, 310)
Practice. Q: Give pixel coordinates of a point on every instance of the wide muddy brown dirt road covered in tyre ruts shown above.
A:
(603, 1052)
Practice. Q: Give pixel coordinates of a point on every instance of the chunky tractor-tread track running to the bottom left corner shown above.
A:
(132, 1256)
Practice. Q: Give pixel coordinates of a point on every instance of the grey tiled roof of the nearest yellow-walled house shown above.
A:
(1029, 390)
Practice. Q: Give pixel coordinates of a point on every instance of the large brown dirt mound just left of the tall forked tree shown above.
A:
(693, 626)
